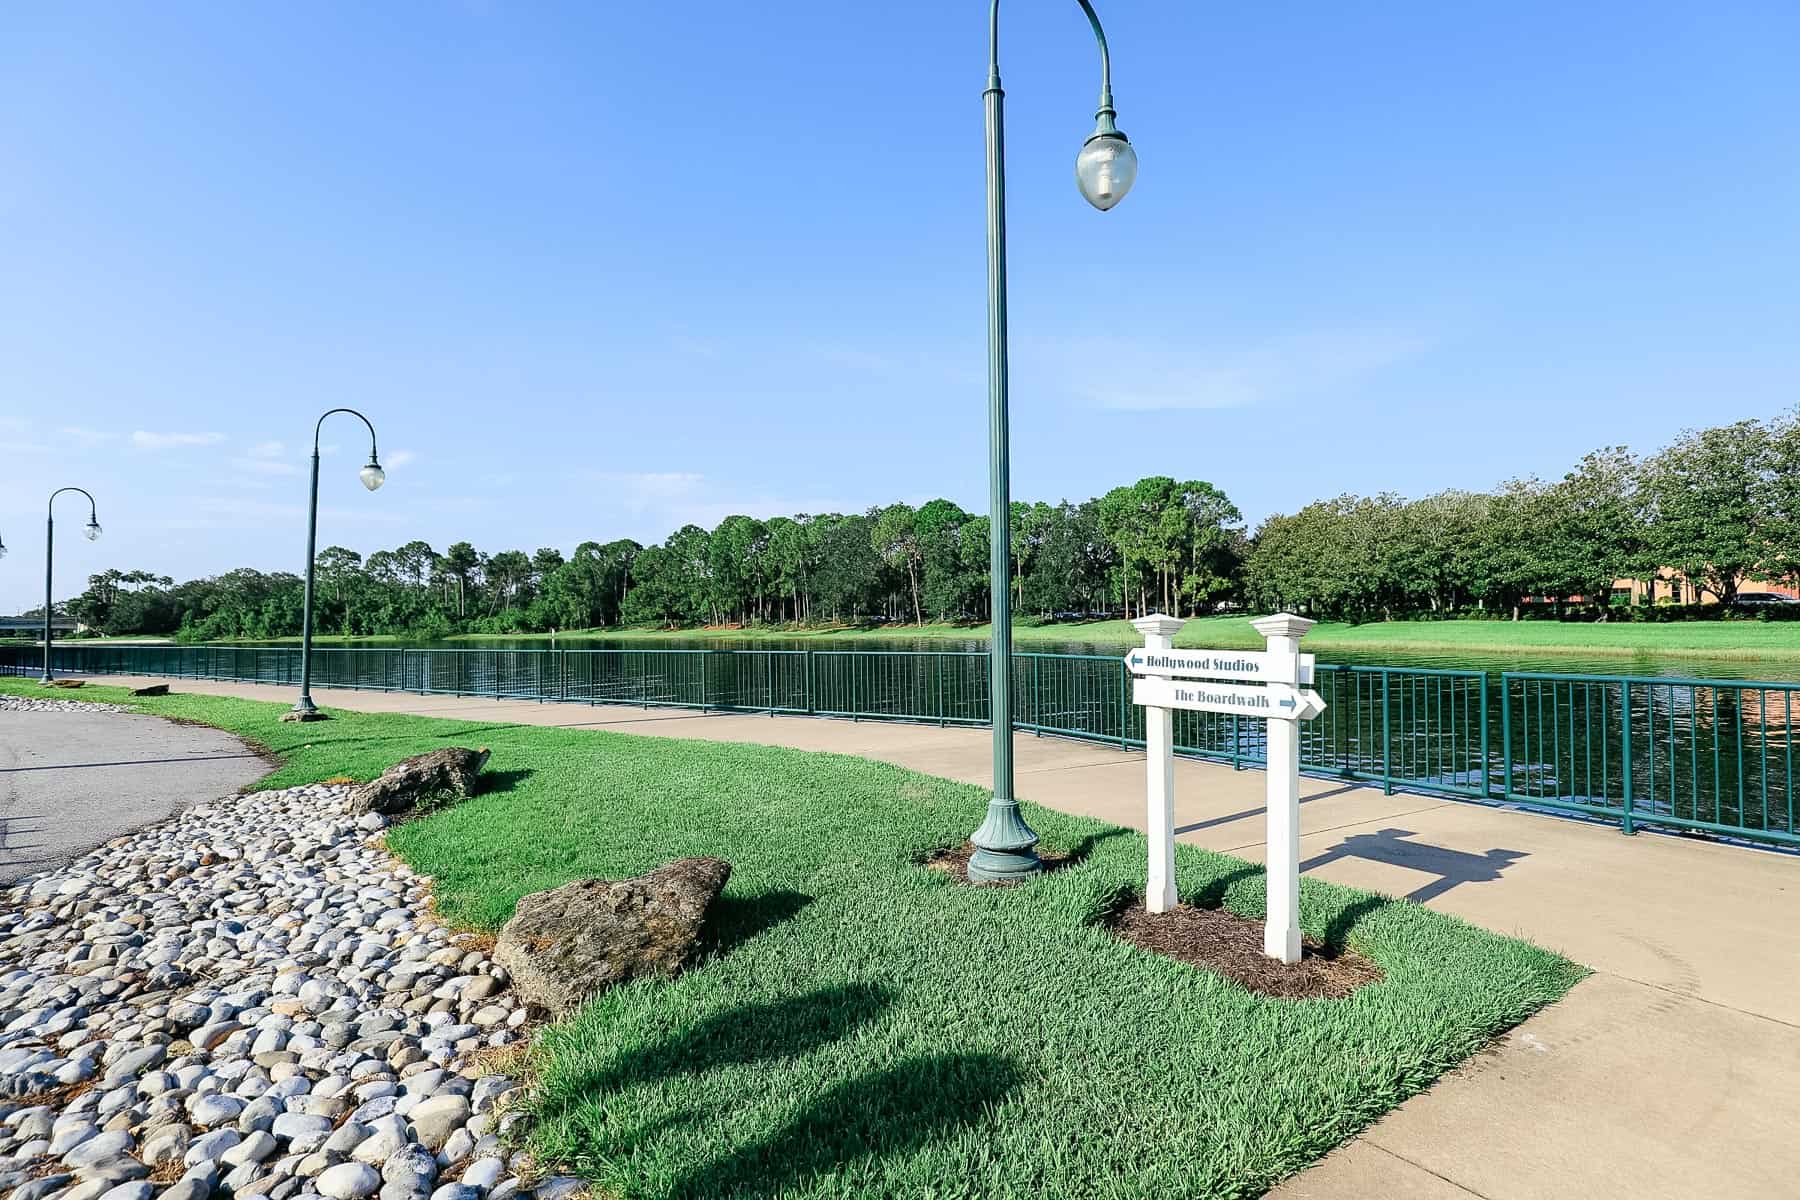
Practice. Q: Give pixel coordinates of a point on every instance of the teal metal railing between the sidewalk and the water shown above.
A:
(1695, 755)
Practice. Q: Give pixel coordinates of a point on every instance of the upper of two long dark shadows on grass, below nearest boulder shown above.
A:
(750, 1034)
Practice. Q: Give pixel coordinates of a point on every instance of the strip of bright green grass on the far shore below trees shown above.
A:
(1702, 640)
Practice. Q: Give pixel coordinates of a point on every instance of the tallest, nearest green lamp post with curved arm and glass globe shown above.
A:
(1104, 172)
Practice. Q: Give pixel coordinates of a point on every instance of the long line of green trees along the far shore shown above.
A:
(1713, 508)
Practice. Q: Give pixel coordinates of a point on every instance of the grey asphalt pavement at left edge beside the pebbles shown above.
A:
(71, 782)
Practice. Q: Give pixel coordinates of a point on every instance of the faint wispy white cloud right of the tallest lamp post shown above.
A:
(1147, 379)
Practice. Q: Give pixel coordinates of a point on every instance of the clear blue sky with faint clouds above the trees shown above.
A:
(598, 271)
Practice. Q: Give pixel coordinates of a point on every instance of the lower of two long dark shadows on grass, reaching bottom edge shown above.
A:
(881, 1115)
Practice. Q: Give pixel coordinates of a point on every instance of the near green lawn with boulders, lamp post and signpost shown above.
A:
(868, 1028)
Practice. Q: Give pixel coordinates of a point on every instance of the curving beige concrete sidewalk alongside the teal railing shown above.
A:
(1673, 1073)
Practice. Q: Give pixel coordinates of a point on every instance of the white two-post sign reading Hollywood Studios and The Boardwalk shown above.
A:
(1268, 685)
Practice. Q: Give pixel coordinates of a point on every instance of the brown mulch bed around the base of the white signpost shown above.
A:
(1232, 947)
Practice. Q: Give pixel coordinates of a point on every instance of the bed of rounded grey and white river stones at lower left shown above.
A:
(251, 1001)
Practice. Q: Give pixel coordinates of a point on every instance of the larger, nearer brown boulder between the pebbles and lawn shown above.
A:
(571, 942)
